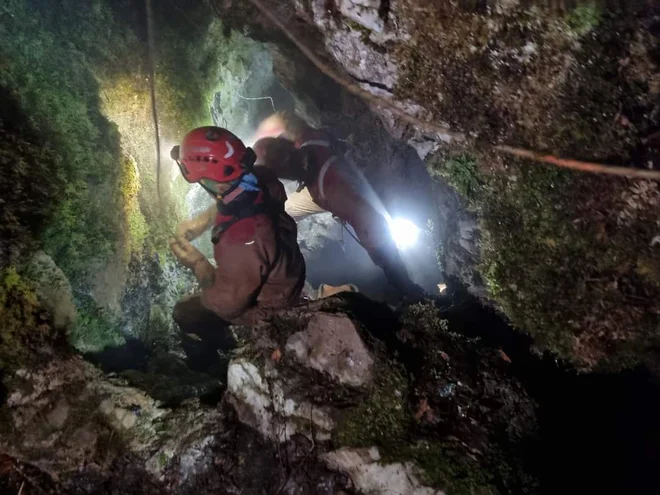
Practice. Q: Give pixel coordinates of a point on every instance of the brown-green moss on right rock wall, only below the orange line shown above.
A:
(562, 269)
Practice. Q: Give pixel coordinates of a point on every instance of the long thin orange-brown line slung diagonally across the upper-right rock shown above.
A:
(433, 127)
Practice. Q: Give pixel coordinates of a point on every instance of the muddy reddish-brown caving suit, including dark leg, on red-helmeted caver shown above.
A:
(260, 269)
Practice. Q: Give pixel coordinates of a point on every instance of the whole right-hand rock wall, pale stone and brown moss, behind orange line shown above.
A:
(568, 257)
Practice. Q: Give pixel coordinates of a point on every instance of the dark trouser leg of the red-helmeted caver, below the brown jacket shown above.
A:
(203, 333)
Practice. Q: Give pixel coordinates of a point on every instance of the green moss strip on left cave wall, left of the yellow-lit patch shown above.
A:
(46, 69)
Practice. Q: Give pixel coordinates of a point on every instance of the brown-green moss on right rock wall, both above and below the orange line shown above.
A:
(565, 255)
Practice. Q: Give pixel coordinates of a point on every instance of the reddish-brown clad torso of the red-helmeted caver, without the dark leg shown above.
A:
(260, 266)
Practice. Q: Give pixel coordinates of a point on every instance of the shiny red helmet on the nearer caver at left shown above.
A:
(215, 154)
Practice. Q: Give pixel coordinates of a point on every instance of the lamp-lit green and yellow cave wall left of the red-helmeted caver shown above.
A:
(79, 157)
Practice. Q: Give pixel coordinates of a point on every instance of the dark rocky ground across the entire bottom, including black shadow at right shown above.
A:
(450, 413)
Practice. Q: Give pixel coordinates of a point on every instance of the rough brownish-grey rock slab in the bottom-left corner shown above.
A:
(89, 410)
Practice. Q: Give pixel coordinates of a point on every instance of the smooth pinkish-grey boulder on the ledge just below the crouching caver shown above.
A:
(330, 344)
